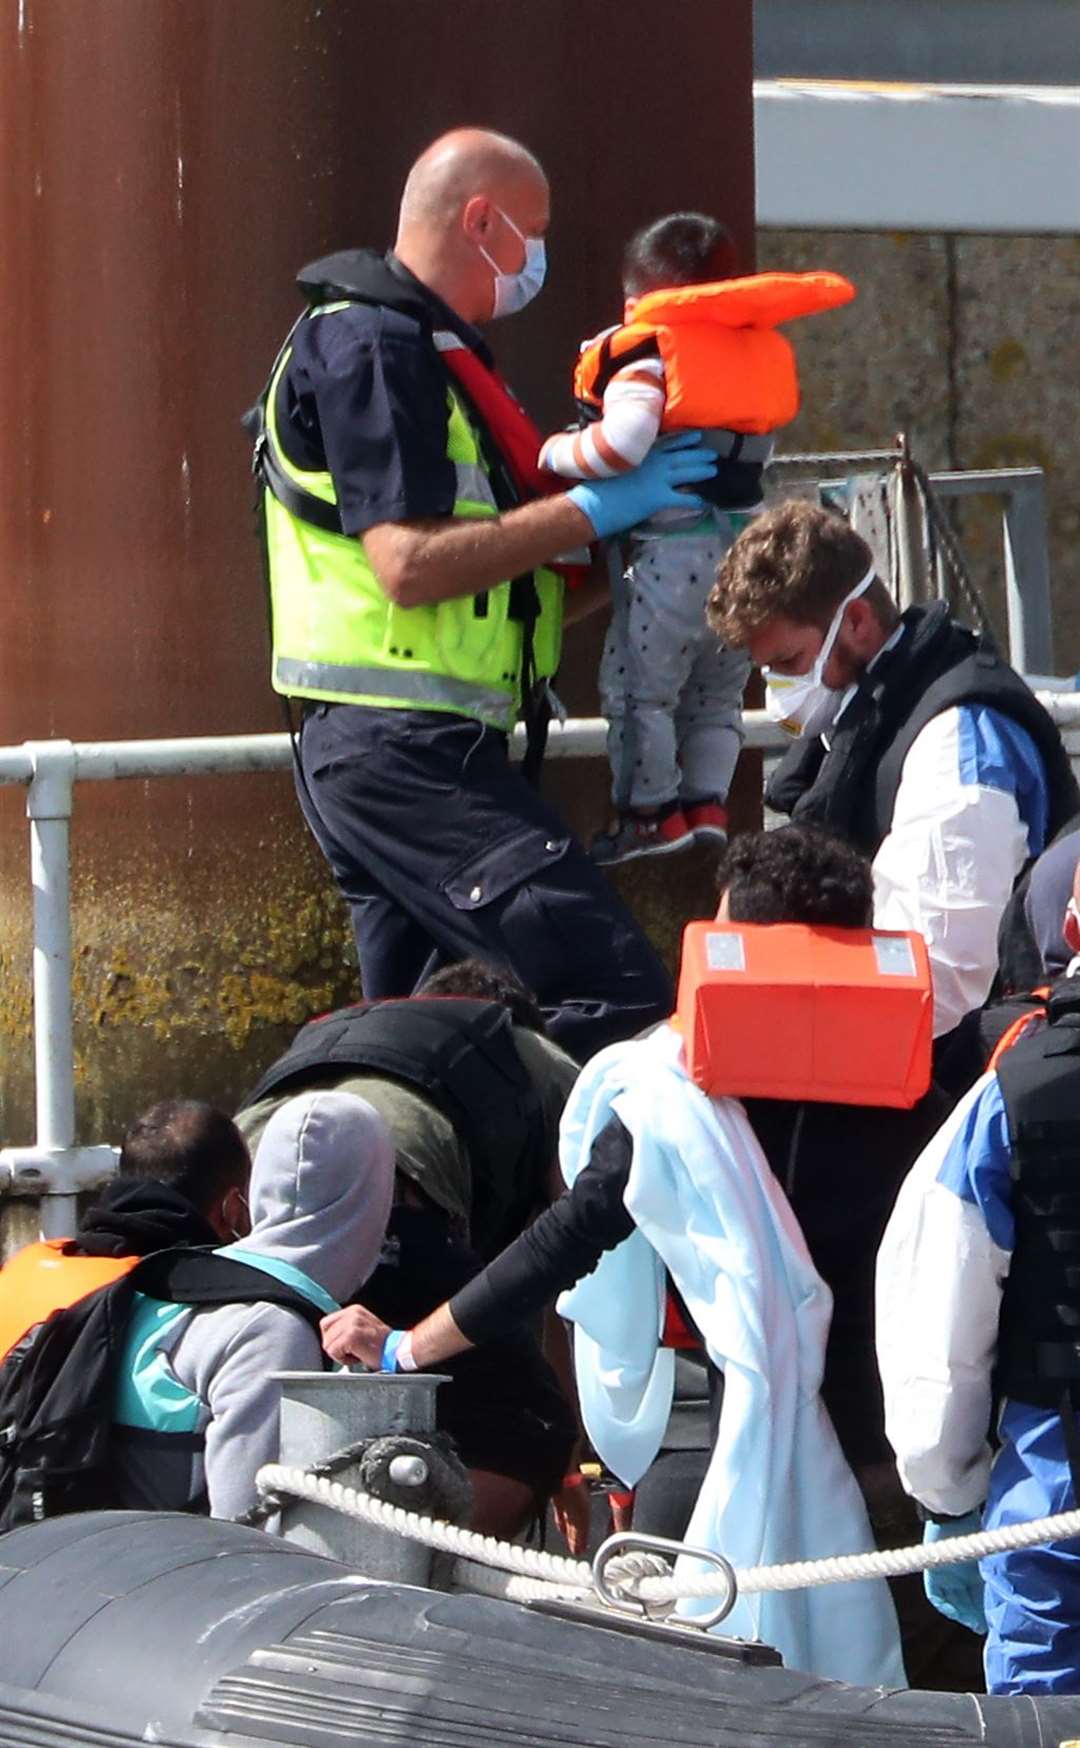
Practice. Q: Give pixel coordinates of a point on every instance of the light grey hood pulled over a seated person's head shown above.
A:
(321, 1190)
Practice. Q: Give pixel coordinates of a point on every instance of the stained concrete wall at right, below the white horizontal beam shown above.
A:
(969, 345)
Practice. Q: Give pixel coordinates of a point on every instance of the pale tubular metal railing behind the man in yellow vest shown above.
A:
(57, 1167)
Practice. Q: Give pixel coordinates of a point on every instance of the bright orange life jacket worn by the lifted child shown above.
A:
(724, 363)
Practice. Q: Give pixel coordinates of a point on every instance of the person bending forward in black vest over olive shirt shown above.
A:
(473, 1093)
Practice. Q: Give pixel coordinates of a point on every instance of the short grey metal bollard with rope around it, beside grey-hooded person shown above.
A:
(322, 1413)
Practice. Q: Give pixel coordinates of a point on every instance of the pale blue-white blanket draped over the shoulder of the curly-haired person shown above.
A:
(710, 1212)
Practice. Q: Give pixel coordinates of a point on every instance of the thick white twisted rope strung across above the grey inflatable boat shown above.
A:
(574, 1578)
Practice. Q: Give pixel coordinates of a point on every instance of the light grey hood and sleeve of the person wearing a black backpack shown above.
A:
(321, 1200)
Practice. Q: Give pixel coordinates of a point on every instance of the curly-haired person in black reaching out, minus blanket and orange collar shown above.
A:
(840, 1169)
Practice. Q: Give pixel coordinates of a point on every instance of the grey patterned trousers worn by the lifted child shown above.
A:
(670, 690)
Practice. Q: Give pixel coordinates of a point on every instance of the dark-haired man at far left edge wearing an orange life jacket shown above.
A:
(183, 1181)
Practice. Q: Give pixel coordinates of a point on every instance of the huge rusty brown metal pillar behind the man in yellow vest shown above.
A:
(169, 165)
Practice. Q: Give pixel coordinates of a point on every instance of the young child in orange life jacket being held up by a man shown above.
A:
(698, 350)
